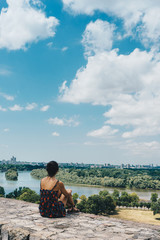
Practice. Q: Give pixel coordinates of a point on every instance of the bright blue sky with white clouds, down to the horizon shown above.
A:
(79, 81)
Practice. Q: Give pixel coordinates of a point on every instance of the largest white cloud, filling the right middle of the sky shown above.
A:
(129, 84)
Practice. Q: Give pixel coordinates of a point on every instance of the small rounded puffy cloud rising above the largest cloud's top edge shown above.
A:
(97, 37)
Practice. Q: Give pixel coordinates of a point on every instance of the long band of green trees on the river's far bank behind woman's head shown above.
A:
(140, 179)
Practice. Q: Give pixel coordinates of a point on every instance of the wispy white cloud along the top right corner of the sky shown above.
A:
(139, 17)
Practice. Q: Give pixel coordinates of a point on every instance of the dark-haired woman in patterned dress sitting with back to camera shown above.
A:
(53, 196)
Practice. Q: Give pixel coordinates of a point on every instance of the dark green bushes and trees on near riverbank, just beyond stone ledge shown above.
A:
(103, 203)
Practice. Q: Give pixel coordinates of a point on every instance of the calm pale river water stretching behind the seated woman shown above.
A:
(26, 180)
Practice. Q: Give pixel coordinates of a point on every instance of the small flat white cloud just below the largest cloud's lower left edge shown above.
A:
(104, 132)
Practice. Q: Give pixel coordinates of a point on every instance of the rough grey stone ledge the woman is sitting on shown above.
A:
(21, 221)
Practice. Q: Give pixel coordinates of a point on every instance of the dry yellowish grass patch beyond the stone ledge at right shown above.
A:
(137, 215)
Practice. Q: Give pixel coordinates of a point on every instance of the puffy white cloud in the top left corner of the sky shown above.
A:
(22, 23)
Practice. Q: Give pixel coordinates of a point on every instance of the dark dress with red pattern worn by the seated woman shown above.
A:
(49, 205)
